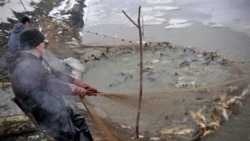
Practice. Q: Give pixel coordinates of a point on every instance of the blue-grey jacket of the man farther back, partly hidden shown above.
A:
(14, 37)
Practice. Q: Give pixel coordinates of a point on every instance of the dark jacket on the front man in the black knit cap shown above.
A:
(28, 73)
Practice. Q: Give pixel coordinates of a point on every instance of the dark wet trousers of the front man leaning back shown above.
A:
(53, 117)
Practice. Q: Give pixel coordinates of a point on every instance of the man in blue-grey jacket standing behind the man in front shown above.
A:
(17, 29)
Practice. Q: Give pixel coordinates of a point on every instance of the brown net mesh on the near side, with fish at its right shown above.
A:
(186, 113)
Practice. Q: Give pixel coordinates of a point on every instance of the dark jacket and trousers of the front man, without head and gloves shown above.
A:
(40, 92)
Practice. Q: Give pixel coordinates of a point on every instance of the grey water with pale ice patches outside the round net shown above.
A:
(221, 26)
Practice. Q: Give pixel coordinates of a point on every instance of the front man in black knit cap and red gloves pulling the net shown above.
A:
(39, 91)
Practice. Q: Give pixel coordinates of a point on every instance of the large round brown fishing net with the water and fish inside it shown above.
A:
(187, 93)
